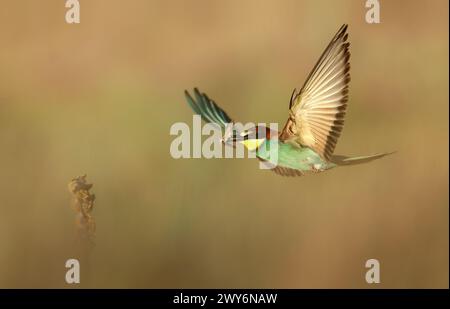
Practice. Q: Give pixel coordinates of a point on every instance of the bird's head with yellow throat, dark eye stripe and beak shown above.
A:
(251, 138)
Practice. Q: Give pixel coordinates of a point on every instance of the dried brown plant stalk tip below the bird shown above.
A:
(83, 203)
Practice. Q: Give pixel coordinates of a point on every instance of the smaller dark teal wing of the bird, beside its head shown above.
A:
(207, 108)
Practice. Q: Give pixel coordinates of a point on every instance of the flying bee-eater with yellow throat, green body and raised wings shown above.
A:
(316, 118)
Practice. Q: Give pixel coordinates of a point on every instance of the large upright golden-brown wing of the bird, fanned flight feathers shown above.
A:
(317, 111)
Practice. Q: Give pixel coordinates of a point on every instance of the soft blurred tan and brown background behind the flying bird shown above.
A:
(100, 97)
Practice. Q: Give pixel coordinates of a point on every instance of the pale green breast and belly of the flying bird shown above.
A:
(290, 156)
